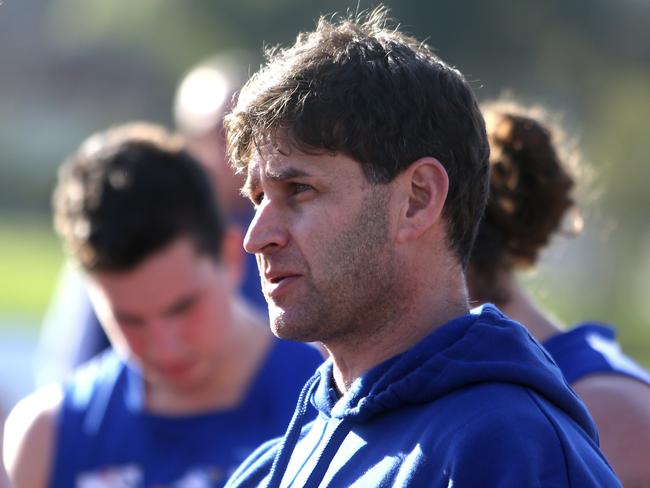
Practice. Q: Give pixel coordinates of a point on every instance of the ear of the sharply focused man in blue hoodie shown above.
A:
(424, 186)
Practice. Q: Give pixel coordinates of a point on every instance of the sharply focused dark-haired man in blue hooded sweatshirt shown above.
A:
(367, 160)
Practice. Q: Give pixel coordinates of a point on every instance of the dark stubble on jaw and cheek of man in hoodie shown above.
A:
(357, 293)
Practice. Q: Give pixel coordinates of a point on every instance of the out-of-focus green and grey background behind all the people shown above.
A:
(71, 67)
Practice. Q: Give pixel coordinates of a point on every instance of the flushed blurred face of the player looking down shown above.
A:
(171, 314)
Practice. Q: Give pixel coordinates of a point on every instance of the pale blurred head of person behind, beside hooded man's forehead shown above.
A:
(203, 97)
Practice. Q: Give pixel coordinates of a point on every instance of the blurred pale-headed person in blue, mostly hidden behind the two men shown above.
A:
(71, 333)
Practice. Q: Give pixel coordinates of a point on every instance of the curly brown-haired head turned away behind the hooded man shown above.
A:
(531, 189)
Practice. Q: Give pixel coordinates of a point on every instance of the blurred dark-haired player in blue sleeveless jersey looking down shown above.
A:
(194, 380)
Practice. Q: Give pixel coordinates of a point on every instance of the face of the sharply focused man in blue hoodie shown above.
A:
(324, 245)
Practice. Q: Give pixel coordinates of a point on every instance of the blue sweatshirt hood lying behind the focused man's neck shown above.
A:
(483, 346)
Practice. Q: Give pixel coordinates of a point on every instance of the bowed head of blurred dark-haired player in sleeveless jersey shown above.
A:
(138, 213)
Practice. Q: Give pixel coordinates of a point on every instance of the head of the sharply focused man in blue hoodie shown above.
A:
(366, 157)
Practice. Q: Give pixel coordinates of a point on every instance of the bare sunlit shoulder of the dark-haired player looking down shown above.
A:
(29, 437)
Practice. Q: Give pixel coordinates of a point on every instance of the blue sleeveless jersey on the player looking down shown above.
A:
(106, 438)
